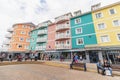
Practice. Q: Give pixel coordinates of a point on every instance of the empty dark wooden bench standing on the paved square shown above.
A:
(80, 66)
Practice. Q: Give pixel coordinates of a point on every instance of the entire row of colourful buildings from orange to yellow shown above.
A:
(95, 35)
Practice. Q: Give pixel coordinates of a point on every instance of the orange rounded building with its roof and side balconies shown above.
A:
(20, 37)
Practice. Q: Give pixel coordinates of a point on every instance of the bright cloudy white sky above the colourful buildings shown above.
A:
(37, 11)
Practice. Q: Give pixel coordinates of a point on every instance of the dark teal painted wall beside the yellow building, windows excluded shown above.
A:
(88, 32)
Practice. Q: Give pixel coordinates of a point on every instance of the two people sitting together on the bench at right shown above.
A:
(106, 66)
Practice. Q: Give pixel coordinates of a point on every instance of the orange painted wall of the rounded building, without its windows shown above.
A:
(17, 34)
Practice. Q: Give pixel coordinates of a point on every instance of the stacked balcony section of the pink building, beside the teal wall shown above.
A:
(63, 34)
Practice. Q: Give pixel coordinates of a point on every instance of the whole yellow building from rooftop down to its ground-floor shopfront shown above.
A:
(107, 27)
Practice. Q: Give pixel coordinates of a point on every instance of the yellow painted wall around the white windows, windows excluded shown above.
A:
(110, 29)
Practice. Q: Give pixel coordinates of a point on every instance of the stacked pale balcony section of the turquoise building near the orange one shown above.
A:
(42, 36)
